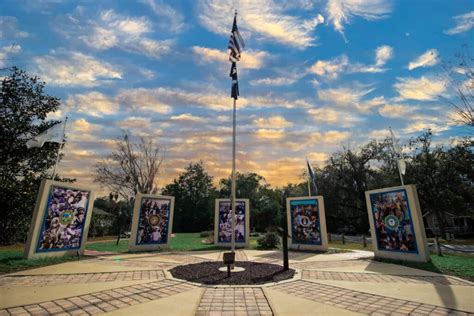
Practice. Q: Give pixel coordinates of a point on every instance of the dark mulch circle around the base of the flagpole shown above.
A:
(255, 273)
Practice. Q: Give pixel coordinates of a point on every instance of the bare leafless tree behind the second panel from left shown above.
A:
(132, 168)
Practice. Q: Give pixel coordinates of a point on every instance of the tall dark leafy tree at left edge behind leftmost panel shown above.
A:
(23, 111)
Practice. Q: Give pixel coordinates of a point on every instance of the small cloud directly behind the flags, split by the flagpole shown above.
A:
(251, 59)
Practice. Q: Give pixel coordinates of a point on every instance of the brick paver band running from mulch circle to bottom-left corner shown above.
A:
(104, 301)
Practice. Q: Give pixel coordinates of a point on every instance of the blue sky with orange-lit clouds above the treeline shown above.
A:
(314, 76)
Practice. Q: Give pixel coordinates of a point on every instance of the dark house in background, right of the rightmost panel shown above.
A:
(459, 225)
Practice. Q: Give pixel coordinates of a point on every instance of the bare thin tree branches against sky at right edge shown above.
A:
(460, 80)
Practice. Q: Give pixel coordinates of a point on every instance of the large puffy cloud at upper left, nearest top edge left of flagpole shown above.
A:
(109, 30)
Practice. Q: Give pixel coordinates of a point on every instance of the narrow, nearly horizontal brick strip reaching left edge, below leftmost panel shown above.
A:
(35, 280)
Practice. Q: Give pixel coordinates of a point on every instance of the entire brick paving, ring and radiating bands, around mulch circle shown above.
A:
(228, 300)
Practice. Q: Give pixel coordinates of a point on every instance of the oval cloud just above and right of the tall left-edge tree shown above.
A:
(75, 69)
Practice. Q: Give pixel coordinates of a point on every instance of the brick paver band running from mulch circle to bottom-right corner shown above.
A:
(361, 302)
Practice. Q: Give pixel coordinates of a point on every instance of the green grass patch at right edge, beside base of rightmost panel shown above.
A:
(457, 265)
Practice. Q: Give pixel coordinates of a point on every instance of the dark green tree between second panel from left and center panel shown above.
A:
(194, 199)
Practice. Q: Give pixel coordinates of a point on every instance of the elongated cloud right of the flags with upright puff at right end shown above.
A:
(331, 69)
